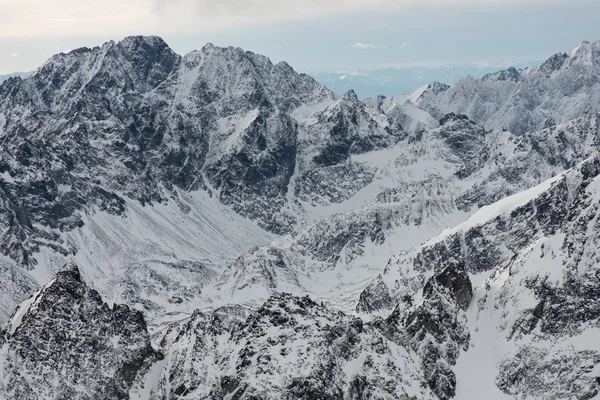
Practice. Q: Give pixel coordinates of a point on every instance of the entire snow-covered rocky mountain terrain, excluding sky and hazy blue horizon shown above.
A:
(218, 226)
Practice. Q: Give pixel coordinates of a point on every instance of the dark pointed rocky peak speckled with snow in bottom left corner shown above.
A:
(66, 343)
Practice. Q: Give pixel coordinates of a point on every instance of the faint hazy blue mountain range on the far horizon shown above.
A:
(395, 81)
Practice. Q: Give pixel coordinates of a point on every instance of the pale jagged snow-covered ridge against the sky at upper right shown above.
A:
(562, 88)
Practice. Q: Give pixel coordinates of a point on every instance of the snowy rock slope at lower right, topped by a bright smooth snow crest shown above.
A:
(531, 260)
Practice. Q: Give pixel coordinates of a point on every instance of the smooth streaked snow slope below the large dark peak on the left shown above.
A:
(154, 254)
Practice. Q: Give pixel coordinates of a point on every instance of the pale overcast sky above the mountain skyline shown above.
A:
(312, 35)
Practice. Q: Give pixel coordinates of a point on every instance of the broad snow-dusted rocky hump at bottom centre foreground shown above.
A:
(312, 352)
